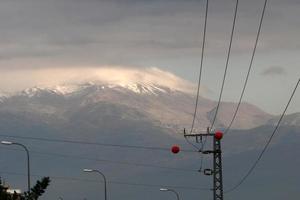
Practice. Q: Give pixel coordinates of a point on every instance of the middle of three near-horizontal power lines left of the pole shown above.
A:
(107, 161)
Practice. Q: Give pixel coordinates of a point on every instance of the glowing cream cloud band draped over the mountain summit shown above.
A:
(15, 80)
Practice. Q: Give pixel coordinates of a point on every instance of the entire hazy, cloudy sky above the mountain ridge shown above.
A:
(46, 34)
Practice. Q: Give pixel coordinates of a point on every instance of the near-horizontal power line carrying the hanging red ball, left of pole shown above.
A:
(92, 143)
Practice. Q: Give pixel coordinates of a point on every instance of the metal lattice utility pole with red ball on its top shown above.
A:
(216, 172)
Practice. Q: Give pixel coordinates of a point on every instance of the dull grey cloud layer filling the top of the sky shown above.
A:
(137, 31)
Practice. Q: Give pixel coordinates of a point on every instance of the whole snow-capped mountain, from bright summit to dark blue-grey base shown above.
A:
(138, 113)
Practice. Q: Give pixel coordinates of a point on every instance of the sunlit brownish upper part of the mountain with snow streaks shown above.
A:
(164, 106)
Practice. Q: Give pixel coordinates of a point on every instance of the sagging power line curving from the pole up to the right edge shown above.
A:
(266, 145)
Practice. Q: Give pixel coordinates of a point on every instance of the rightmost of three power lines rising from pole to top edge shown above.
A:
(249, 69)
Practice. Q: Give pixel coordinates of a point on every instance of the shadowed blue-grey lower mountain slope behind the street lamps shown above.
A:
(240, 148)
